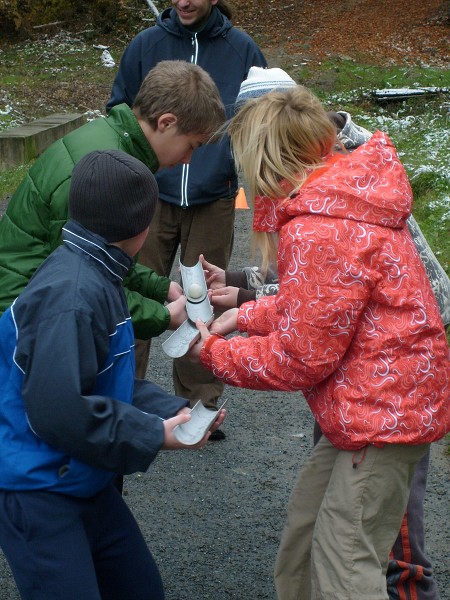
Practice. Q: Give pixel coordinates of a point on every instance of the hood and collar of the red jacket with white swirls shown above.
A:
(368, 185)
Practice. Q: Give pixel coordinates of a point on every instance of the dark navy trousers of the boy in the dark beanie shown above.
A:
(76, 548)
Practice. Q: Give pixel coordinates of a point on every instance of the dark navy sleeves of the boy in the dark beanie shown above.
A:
(100, 431)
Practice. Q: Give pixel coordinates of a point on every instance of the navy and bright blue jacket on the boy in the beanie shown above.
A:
(71, 413)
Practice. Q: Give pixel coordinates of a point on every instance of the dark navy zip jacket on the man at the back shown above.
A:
(226, 53)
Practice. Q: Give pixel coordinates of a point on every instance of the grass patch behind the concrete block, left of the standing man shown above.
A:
(53, 73)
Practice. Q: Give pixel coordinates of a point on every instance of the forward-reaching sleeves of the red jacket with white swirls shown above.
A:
(297, 338)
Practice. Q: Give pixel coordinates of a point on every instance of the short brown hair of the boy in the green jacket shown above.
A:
(185, 90)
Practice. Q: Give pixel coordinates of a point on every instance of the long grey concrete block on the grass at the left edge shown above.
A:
(21, 144)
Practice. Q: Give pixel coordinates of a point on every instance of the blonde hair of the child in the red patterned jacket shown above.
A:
(277, 139)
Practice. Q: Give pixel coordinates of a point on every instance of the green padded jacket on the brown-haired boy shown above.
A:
(31, 227)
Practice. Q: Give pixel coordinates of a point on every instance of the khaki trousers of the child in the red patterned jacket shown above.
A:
(343, 521)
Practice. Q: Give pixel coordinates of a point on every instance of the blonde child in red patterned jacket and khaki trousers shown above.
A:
(355, 326)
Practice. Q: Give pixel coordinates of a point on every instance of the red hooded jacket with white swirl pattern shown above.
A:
(355, 324)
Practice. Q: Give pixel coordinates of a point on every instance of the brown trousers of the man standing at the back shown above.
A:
(205, 229)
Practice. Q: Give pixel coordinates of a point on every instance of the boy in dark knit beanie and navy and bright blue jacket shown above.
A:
(72, 415)
